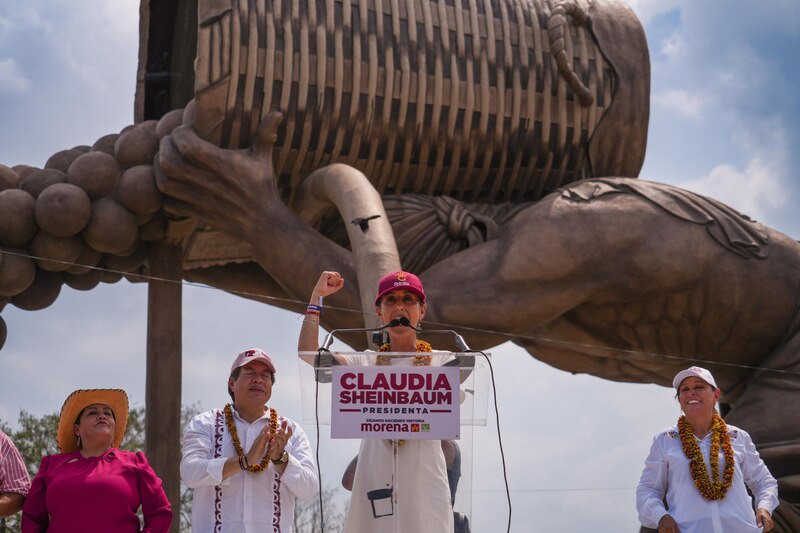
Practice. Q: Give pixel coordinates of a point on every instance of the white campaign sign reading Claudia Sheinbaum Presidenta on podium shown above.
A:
(390, 402)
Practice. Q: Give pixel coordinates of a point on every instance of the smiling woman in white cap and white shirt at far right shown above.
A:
(703, 468)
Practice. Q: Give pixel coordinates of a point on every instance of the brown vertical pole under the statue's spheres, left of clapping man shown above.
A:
(163, 382)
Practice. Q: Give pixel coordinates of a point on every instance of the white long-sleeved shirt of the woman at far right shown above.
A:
(666, 472)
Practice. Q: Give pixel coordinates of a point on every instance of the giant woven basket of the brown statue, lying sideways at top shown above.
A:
(482, 100)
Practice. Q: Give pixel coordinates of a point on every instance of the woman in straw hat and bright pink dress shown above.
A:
(93, 486)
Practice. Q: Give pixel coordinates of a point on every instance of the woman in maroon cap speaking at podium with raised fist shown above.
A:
(413, 493)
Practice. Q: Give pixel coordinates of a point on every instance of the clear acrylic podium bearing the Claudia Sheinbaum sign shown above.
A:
(392, 404)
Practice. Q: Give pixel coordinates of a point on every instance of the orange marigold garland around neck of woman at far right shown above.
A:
(713, 489)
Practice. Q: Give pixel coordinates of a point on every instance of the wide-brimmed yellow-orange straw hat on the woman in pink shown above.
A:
(116, 399)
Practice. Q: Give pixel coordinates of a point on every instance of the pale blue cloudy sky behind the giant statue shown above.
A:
(724, 122)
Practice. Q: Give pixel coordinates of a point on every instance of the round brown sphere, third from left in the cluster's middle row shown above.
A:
(111, 228)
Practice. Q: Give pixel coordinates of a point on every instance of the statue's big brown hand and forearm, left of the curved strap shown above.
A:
(235, 191)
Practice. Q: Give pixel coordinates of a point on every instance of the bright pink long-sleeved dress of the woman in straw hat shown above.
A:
(75, 494)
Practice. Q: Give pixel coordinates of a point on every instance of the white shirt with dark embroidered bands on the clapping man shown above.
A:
(247, 502)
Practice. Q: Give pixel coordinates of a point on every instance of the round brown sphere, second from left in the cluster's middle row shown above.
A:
(63, 209)
